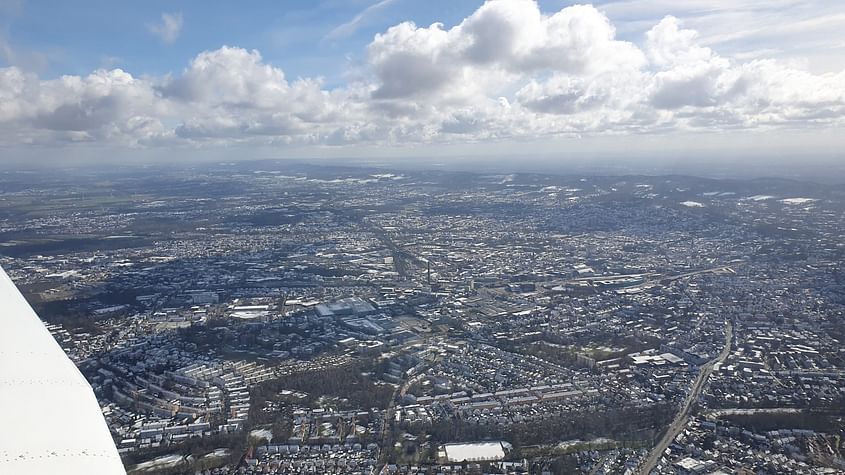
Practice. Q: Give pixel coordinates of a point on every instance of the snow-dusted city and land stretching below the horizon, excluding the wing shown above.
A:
(270, 317)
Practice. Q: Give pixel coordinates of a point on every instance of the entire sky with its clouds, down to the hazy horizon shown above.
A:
(168, 80)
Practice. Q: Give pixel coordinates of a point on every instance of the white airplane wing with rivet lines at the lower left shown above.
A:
(50, 421)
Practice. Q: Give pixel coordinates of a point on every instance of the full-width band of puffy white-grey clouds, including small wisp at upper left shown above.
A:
(508, 71)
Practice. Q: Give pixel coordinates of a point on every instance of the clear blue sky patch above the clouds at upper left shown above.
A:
(78, 37)
